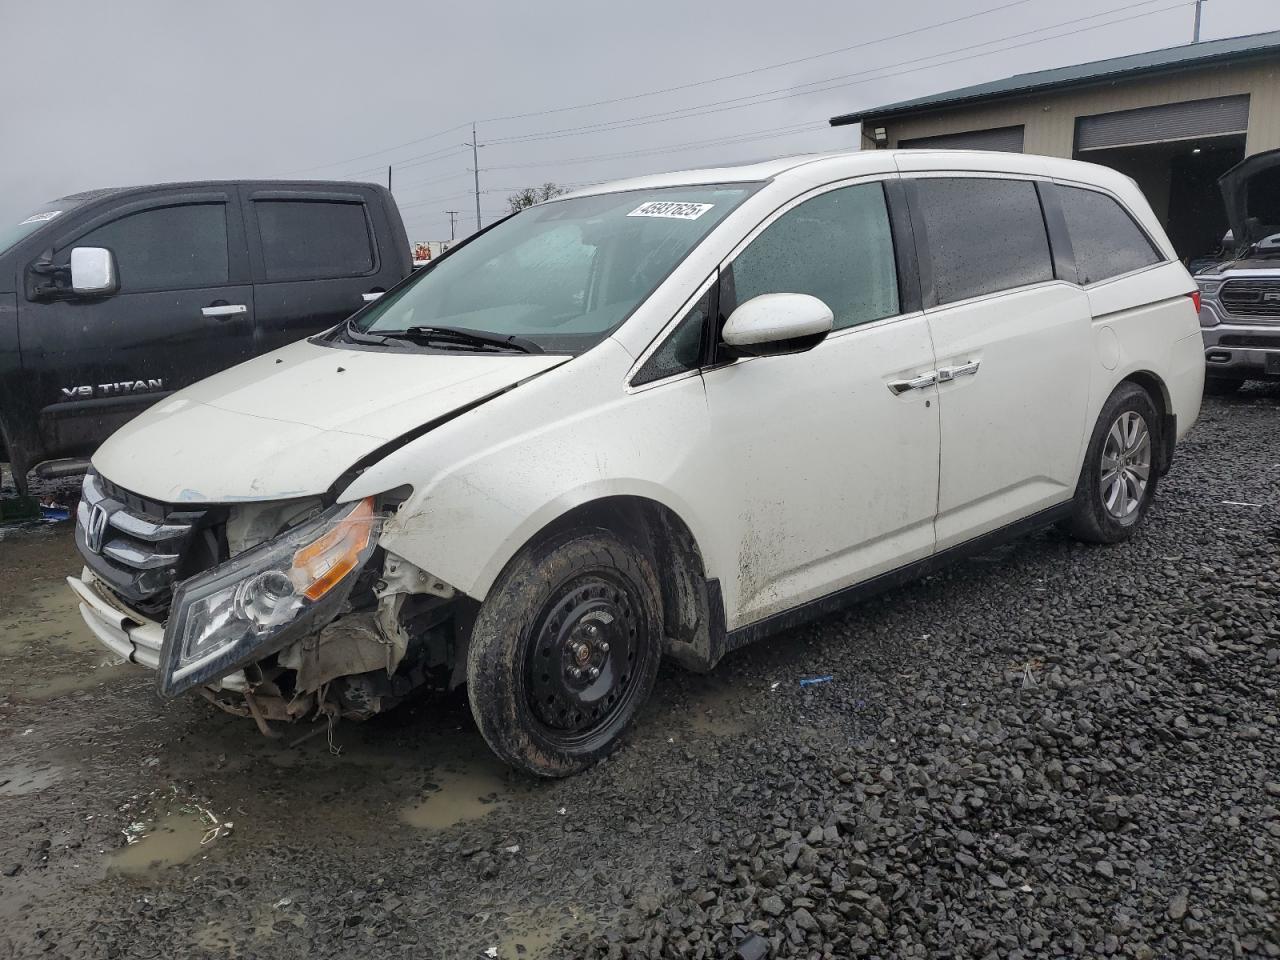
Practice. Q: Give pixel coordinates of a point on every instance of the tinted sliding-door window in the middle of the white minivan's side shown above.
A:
(984, 236)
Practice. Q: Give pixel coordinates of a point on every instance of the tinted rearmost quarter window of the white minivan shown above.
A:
(1105, 240)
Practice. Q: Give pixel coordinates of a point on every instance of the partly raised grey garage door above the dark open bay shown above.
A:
(1156, 125)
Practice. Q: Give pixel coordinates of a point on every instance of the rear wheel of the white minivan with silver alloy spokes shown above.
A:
(1118, 481)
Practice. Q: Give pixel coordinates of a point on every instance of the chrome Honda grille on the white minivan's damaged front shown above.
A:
(141, 548)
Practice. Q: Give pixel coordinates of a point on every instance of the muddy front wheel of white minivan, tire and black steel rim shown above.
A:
(565, 651)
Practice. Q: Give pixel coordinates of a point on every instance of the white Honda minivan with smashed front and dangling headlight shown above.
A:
(665, 417)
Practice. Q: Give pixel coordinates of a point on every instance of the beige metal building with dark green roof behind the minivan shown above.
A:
(1173, 120)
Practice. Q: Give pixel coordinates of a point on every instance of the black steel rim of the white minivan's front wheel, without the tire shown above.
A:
(583, 666)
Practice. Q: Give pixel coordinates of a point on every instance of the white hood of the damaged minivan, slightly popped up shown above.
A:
(291, 423)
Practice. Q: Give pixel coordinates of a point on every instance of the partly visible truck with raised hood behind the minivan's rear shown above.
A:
(1241, 296)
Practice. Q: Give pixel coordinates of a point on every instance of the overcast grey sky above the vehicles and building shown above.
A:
(139, 92)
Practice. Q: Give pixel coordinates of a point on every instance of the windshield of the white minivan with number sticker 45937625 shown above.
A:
(561, 275)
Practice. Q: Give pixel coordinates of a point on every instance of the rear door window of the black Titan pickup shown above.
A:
(314, 239)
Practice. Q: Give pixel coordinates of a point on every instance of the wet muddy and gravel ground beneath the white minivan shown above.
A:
(1050, 751)
